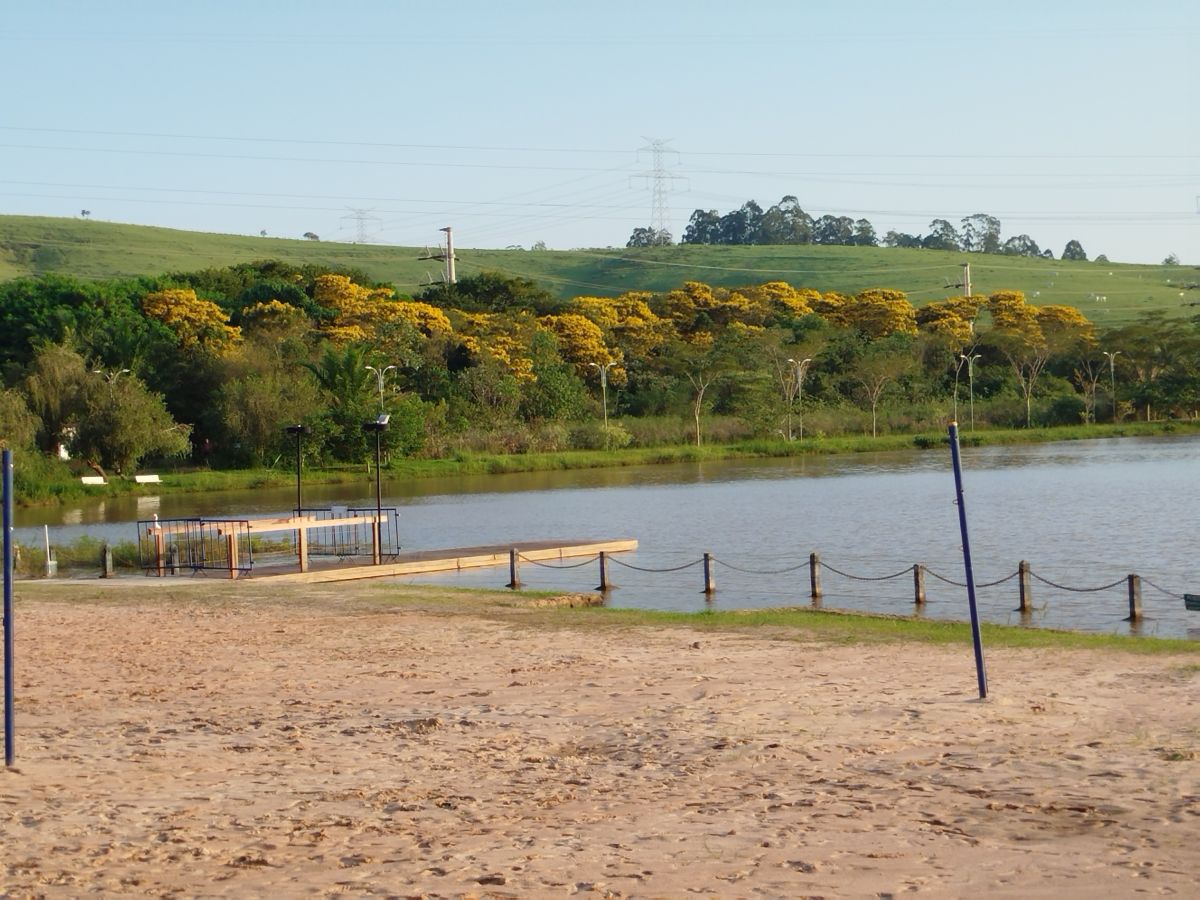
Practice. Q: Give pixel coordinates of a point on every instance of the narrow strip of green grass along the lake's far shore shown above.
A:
(49, 487)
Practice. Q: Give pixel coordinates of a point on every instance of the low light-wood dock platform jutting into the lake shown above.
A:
(421, 562)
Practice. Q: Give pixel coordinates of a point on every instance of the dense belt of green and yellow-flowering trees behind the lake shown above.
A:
(212, 367)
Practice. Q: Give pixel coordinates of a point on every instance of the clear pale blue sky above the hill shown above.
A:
(563, 123)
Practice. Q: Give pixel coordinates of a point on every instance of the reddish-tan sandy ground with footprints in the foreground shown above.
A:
(235, 740)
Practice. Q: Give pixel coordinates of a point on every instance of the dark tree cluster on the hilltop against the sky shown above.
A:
(787, 223)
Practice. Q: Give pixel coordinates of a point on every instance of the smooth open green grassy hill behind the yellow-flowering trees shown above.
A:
(1108, 293)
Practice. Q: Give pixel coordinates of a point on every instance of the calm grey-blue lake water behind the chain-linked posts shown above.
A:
(1084, 514)
